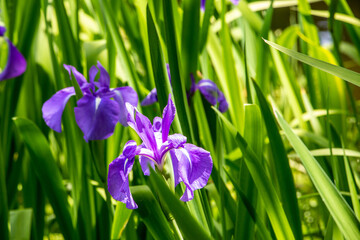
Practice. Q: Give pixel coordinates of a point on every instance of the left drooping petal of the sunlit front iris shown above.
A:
(118, 182)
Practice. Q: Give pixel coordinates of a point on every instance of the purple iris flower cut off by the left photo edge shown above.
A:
(16, 64)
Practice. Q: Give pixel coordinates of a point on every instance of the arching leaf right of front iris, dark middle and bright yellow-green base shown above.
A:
(264, 185)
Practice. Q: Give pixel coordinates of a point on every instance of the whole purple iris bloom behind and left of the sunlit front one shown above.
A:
(100, 108)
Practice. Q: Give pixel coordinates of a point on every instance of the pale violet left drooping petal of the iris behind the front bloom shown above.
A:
(53, 108)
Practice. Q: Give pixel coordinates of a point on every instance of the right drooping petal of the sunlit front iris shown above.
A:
(193, 166)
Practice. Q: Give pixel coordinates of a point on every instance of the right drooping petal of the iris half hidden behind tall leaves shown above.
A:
(212, 94)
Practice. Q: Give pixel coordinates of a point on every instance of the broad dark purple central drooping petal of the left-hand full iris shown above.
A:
(96, 117)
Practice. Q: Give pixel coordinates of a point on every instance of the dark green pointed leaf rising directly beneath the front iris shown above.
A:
(189, 226)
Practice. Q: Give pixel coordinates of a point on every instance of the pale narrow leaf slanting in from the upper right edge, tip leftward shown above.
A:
(343, 73)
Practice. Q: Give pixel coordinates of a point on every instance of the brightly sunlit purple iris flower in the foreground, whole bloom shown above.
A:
(192, 165)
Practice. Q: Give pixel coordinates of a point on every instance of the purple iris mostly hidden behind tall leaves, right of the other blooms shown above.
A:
(206, 87)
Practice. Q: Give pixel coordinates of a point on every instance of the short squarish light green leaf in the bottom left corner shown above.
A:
(20, 224)
